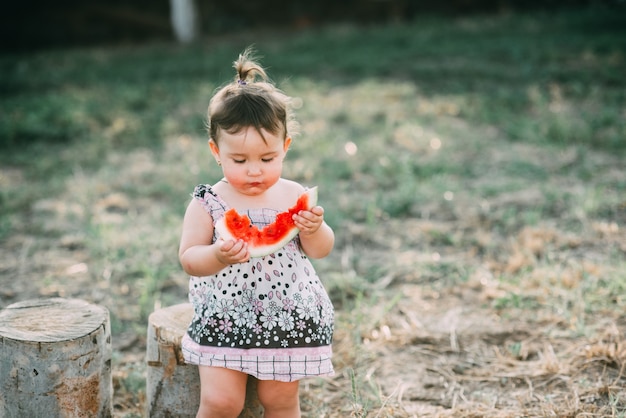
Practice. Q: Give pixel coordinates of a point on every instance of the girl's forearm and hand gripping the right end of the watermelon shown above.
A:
(316, 237)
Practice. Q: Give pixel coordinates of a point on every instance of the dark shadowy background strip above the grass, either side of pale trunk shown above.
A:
(37, 24)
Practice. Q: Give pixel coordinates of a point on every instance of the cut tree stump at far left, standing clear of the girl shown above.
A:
(55, 359)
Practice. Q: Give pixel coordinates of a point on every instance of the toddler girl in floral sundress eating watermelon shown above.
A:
(268, 317)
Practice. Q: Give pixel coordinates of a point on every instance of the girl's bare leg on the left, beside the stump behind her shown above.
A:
(222, 392)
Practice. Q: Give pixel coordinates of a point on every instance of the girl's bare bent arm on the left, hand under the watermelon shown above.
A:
(197, 253)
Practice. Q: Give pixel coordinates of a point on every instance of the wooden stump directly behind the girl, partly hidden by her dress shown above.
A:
(172, 386)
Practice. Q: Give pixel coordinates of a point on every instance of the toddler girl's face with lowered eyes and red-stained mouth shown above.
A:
(250, 164)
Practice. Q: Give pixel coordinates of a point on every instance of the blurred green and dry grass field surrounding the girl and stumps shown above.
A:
(472, 163)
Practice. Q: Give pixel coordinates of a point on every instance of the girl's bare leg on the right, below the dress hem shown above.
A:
(279, 399)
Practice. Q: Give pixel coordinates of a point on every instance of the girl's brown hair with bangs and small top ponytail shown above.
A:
(247, 102)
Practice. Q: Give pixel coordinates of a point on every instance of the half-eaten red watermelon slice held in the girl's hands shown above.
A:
(272, 237)
